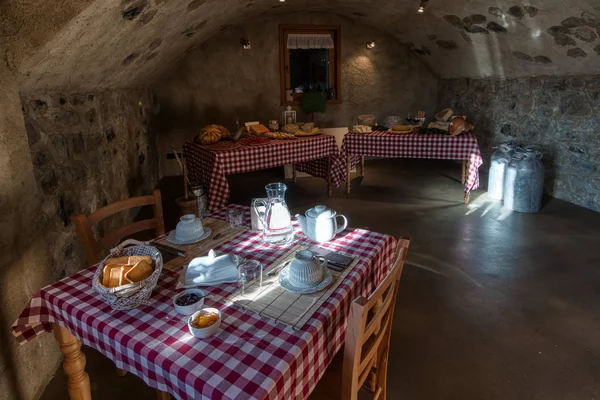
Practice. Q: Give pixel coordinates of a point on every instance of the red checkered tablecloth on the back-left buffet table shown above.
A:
(211, 167)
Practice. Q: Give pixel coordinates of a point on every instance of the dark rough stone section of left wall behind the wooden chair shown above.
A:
(88, 150)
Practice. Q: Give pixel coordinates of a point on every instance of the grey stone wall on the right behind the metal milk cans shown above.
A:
(560, 113)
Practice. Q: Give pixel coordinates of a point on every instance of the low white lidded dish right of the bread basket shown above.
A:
(210, 270)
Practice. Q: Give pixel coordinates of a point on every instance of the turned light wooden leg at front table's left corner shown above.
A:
(78, 384)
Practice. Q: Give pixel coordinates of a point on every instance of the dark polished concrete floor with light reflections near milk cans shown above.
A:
(492, 305)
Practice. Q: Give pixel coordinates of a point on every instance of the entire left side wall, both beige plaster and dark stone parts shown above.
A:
(73, 152)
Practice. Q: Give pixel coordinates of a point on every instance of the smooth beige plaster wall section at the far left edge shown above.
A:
(24, 264)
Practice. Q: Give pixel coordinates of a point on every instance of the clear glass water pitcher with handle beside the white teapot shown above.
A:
(276, 219)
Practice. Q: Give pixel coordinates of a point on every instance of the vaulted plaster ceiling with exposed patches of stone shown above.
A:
(90, 44)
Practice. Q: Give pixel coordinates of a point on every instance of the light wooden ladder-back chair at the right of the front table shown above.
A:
(362, 362)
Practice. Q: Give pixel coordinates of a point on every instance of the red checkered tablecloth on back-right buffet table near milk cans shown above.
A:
(382, 144)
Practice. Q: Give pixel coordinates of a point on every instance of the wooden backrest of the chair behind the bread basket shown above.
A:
(83, 224)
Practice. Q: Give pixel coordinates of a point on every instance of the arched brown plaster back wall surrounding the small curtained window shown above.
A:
(220, 80)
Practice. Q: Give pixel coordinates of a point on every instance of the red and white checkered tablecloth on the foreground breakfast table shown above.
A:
(252, 357)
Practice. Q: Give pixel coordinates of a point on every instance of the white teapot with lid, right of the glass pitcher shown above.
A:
(320, 223)
